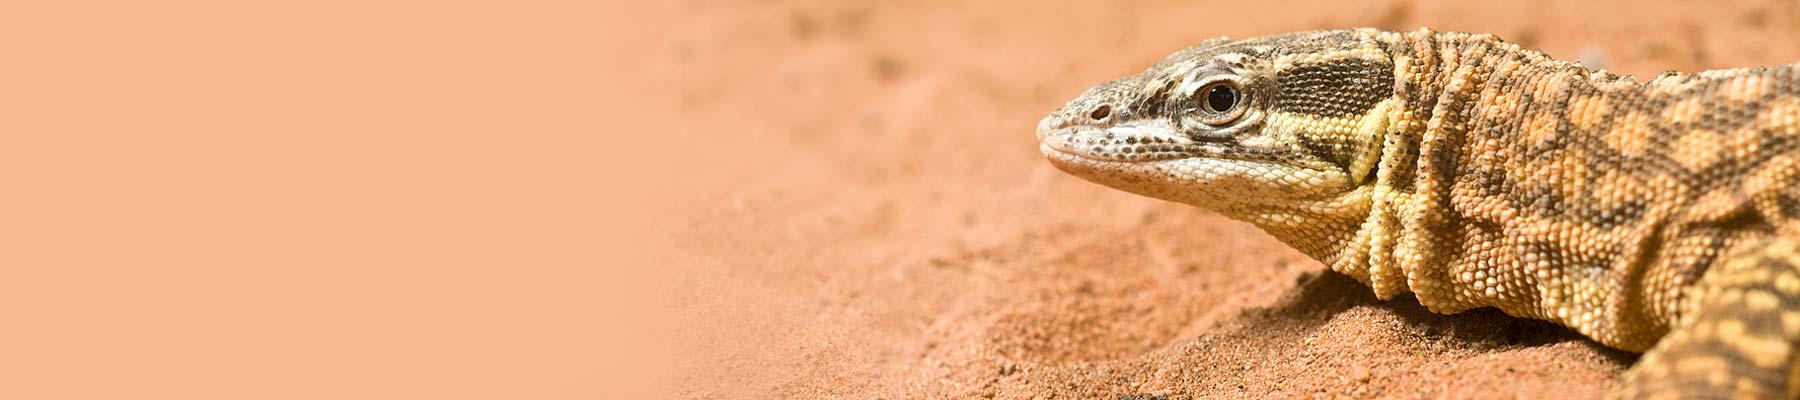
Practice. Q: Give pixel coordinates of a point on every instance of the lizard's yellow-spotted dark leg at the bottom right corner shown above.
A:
(1738, 334)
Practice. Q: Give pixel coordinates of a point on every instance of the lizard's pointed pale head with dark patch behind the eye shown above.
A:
(1236, 125)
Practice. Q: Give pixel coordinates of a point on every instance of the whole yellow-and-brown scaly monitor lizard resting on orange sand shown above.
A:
(1655, 217)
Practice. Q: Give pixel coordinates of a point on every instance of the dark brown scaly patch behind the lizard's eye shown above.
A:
(1335, 89)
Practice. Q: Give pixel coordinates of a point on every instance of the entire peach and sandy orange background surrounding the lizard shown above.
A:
(456, 199)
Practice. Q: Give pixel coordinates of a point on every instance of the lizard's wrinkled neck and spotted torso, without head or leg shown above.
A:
(1506, 170)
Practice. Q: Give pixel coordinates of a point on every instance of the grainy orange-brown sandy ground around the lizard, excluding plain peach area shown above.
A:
(865, 215)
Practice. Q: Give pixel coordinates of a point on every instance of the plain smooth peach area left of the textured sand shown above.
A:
(325, 199)
